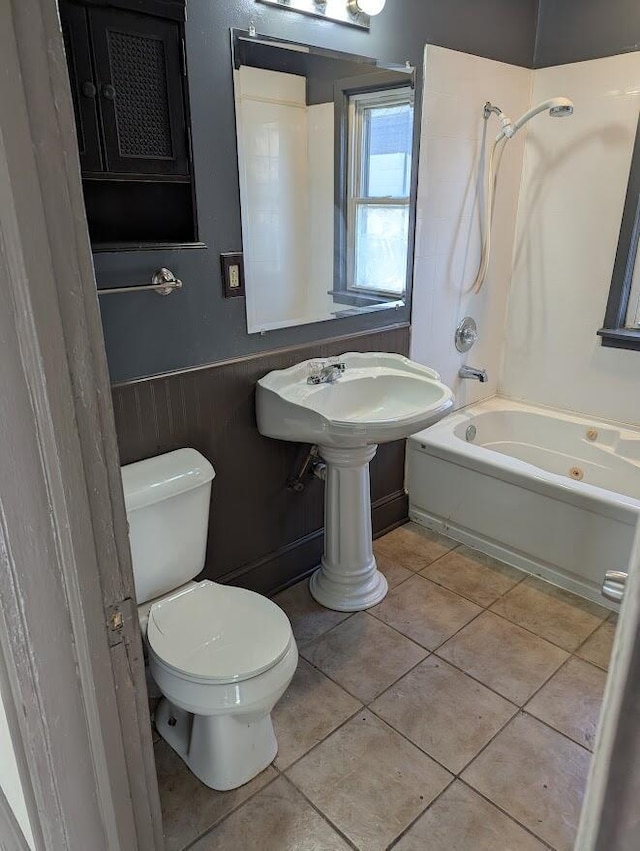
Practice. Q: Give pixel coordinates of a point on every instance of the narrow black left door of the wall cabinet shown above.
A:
(75, 30)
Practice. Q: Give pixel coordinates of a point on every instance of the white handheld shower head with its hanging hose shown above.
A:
(557, 108)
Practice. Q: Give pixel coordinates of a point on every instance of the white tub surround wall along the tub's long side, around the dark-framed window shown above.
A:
(573, 190)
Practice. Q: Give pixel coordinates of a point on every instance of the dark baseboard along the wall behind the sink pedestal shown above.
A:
(297, 560)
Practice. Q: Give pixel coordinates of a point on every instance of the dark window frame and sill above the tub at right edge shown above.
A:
(615, 333)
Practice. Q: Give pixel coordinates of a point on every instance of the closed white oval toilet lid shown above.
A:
(217, 632)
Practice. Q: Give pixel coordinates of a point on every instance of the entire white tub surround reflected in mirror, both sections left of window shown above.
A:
(287, 188)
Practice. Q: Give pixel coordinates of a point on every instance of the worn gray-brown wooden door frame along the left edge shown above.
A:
(72, 675)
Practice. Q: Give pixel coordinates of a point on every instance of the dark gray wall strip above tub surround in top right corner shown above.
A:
(575, 30)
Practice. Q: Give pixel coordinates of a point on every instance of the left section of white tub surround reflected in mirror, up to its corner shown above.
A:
(271, 110)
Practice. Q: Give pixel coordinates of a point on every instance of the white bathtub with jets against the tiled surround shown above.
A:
(552, 493)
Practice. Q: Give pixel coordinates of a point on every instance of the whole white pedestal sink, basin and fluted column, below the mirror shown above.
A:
(347, 406)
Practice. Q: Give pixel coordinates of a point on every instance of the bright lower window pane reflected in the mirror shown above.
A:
(381, 248)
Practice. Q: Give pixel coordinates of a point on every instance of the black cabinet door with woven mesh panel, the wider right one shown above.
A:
(138, 62)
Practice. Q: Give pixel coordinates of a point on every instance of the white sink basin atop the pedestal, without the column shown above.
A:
(379, 397)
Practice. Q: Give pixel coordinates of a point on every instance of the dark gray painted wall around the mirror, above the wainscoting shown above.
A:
(146, 334)
